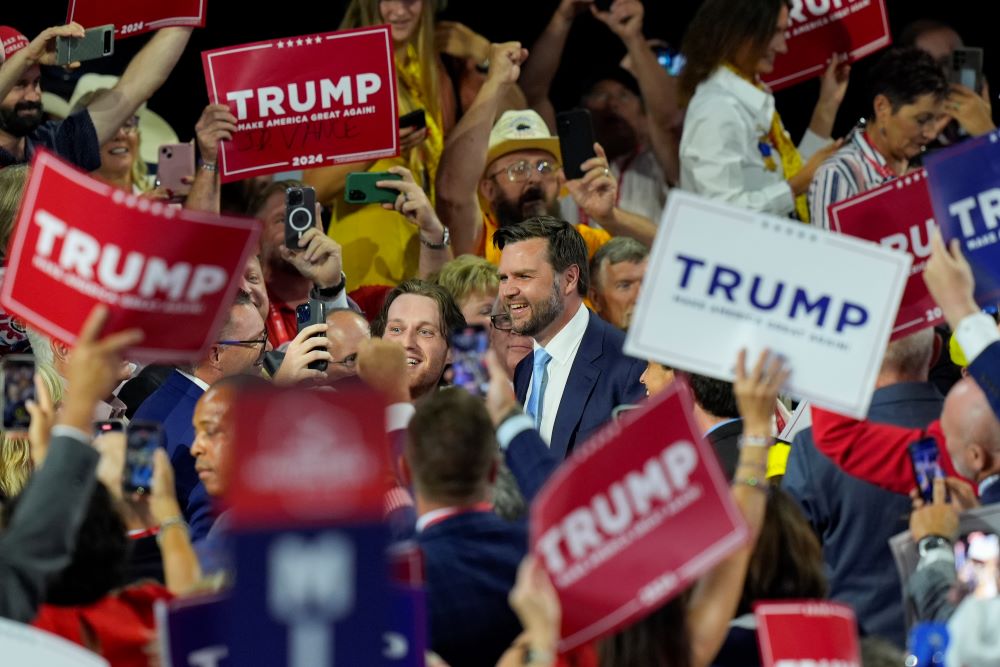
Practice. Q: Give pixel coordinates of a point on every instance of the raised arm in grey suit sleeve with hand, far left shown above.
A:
(39, 540)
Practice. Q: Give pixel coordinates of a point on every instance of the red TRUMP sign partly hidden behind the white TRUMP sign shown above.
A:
(897, 215)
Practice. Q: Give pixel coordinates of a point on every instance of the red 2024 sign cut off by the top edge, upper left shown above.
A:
(132, 18)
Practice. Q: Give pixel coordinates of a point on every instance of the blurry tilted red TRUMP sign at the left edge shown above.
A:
(79, 242)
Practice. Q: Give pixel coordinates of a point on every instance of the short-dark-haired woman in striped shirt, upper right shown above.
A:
(912, 102)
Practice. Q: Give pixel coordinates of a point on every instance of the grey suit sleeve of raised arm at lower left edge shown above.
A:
(38, 543)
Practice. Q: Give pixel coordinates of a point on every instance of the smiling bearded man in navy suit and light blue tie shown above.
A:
(577, 373)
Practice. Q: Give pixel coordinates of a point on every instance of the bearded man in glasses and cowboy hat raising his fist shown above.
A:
(497, 175)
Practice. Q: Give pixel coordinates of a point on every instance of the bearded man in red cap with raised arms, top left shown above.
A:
(77, 138)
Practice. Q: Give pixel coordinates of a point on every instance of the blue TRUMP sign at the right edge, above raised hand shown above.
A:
(964, 183)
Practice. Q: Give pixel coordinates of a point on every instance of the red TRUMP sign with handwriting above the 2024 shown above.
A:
(305, 102)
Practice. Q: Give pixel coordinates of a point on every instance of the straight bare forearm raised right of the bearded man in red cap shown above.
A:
(148, 71)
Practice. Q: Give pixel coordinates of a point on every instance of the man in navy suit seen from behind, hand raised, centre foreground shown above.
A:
(471, 554)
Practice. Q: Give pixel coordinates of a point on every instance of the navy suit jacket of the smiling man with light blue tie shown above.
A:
(602, 377)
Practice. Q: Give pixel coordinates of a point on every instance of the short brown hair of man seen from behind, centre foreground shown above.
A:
(451, 448)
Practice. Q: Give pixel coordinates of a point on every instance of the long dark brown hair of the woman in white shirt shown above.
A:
(719, 31)
